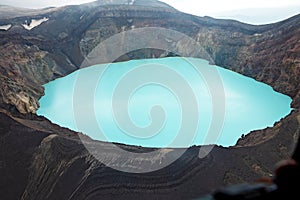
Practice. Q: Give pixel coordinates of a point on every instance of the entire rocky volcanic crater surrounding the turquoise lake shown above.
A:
(57, 166)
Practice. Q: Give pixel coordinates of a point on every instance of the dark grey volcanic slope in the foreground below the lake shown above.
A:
(49, 162)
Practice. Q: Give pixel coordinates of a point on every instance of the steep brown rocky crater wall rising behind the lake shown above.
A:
(69, 35)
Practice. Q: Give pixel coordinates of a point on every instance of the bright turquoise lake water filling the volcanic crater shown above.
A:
(167, 102)
